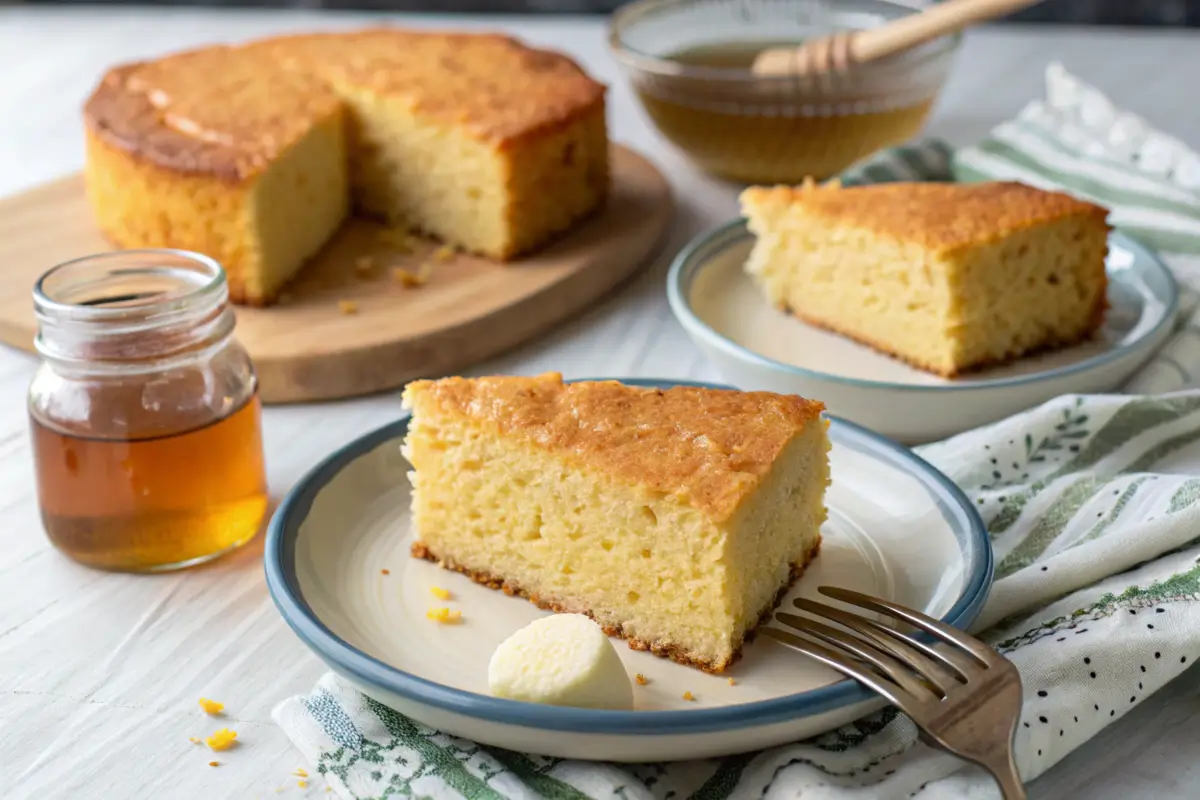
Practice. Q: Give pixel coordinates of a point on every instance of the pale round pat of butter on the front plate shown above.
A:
(561, 660)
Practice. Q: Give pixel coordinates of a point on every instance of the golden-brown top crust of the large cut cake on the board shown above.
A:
(229, 111)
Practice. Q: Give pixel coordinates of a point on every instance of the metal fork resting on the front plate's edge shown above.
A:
(965, 697)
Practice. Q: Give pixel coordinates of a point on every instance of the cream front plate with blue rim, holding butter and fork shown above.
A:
(897, 530)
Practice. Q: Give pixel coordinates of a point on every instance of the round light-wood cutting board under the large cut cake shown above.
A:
(310, 350)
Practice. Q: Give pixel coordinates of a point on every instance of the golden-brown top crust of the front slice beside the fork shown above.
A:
(706, 447)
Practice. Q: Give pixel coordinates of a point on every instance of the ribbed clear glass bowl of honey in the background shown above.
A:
(689, 63)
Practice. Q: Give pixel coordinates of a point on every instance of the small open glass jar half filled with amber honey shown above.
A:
(146, 422)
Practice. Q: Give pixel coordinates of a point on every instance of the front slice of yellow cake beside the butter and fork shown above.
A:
(676, 519)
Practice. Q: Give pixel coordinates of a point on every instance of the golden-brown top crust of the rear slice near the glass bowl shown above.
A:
(937, 216)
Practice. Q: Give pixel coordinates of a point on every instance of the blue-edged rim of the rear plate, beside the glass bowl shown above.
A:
(688, 264)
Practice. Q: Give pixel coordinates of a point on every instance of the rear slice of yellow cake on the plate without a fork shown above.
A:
(946, 276)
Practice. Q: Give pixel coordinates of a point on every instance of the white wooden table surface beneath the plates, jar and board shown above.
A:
(100, 673)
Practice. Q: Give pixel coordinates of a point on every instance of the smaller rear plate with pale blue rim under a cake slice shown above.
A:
(759, 347)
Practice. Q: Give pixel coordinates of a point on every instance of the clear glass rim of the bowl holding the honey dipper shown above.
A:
(655, 65)
